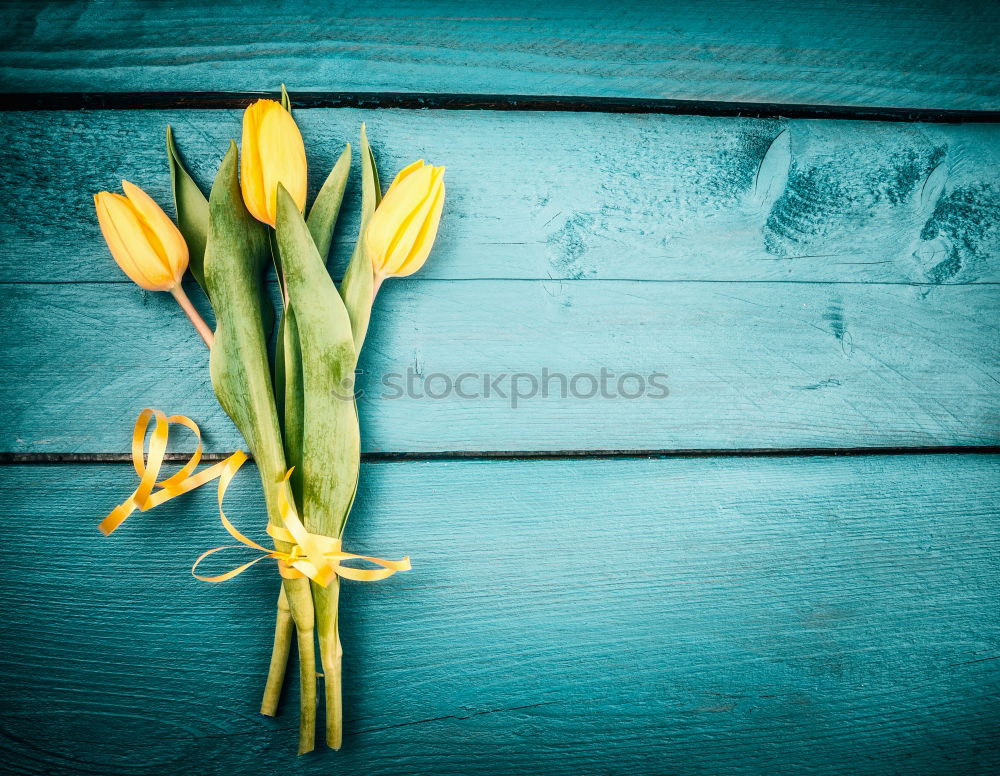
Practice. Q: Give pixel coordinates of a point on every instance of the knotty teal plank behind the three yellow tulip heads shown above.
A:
(560, 195)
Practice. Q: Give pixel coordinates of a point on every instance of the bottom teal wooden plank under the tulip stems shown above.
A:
(783, 616)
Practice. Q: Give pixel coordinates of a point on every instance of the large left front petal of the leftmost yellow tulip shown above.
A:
(127, 239)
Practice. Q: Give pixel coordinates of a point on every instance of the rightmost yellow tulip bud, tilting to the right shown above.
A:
(403, 227)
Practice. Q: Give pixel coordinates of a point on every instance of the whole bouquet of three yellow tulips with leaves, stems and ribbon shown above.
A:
(290, 391)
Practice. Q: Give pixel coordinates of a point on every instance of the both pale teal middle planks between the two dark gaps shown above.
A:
(802, 283)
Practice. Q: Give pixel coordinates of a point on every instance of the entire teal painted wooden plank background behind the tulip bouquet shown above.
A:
(789, 564)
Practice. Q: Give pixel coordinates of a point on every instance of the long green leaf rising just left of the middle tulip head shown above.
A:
(236, 253)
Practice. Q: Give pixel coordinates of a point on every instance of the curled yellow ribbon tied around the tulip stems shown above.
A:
(311, 555)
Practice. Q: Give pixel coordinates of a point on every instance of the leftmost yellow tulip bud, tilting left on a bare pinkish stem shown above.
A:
(143, 240)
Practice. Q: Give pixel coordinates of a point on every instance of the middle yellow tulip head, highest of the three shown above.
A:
(272, 153)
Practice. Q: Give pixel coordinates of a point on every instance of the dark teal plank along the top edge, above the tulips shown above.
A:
(928, 53)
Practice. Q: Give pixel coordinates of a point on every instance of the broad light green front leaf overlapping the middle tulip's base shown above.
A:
(331, 443)
